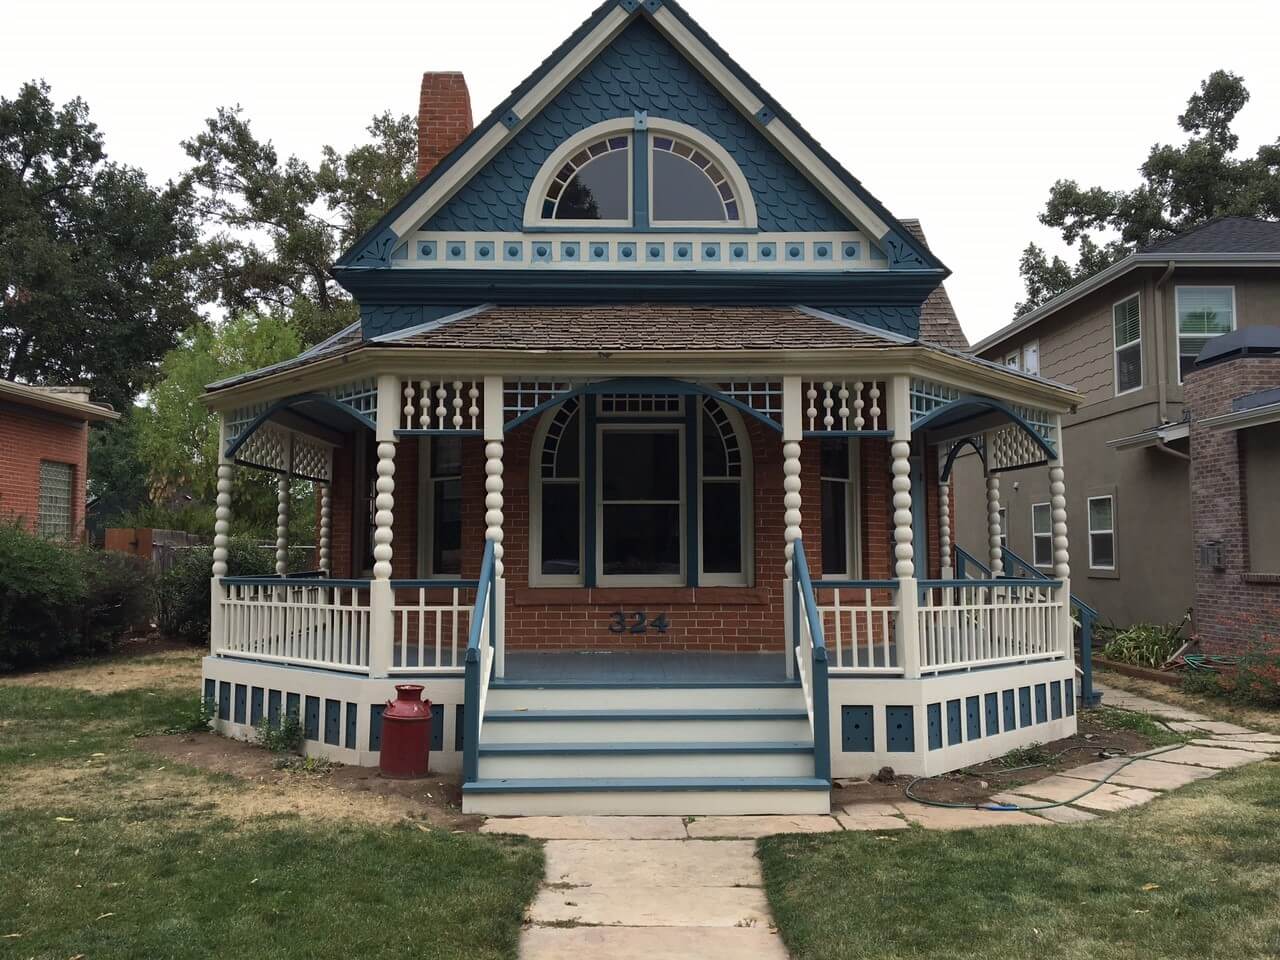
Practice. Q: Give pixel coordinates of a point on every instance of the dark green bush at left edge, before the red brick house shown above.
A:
(62, 601)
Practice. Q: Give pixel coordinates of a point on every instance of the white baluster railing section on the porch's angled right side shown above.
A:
(967, 624)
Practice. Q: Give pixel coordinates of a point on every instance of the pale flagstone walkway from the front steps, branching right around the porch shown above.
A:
(670, 889)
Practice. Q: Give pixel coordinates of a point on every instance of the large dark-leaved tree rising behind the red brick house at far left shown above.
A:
(94, 275)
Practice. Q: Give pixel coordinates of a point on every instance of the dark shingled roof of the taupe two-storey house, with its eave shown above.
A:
(1224, 241)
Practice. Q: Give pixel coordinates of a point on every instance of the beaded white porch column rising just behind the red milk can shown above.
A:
(381, 595)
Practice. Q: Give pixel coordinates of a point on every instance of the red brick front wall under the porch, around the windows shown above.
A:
(724, 619)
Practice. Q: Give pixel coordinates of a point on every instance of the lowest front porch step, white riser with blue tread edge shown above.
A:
(673, 797)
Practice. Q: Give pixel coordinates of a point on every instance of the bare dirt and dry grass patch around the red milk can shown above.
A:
(336, 793)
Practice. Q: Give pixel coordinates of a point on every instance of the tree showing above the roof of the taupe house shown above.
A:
(1182, 189)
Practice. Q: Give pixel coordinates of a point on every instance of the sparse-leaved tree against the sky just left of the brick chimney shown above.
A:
(281, 225)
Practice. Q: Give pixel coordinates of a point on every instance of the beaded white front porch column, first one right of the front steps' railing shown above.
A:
(907, 627)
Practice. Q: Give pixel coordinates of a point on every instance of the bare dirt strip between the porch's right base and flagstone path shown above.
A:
(972, 785)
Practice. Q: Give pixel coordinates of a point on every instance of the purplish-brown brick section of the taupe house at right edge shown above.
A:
(1232, 614)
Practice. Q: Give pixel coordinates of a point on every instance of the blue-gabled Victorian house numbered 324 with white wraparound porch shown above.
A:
(633, 463)
